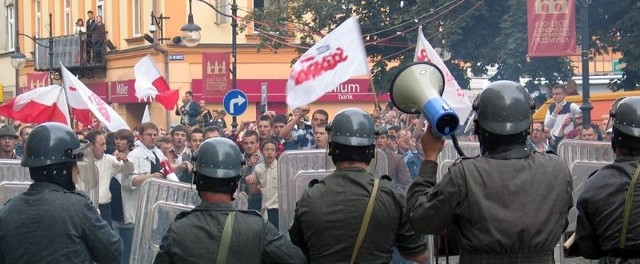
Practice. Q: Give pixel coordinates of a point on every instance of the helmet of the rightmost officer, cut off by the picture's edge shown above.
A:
(625, 115)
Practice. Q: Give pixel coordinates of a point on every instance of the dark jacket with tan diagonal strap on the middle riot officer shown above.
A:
(329, 215)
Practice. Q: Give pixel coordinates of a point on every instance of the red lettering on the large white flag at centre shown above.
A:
(312, 68)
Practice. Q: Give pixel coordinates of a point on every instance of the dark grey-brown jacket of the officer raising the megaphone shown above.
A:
(509, 208)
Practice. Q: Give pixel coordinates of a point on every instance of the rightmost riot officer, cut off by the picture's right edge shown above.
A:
(608, 224)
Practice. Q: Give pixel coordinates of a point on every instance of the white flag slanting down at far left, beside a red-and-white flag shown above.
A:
(81, 98)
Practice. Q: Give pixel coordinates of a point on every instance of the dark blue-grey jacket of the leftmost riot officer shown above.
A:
(48, 224)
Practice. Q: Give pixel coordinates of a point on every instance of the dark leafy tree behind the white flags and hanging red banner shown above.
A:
(477, 33)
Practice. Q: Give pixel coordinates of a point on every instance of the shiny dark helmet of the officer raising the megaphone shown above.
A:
(504, 108)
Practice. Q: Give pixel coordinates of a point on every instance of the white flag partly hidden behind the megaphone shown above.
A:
(453, 95)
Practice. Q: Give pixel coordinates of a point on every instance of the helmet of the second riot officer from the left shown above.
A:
(218, 164)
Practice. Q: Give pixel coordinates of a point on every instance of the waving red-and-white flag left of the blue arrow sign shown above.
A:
(150, 84)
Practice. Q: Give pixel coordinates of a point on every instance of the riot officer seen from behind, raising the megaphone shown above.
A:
(509, 204)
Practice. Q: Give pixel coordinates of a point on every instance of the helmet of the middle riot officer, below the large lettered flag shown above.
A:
(351, 136)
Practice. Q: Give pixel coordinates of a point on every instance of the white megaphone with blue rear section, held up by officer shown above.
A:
(418, 89)
